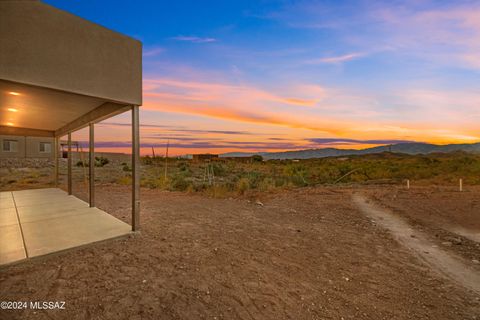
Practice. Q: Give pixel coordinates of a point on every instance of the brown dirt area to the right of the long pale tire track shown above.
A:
(451, 218)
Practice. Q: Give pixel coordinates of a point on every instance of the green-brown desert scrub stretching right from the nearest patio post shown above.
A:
(226, 177)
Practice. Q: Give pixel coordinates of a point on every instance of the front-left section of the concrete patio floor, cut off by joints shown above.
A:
(11, 244)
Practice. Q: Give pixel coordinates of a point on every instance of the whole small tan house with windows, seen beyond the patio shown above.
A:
(26, 147)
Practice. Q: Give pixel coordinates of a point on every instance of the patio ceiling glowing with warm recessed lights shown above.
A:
(37, 111)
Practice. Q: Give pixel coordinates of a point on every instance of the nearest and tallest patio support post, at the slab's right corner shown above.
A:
(135, 169)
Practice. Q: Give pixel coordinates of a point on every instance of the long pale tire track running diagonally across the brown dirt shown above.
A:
(446, 264)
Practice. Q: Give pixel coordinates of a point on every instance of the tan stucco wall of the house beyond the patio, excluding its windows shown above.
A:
(28, 147)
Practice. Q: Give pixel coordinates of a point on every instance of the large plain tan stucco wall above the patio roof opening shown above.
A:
(44, 46)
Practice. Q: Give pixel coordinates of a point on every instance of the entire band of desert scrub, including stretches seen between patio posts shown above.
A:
(230, 177)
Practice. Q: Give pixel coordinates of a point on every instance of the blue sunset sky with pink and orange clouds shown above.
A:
(256, 76)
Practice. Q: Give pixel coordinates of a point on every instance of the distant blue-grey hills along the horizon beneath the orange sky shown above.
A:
(407, 148)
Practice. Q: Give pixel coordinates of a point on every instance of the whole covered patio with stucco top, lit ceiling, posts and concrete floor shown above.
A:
(61, 73)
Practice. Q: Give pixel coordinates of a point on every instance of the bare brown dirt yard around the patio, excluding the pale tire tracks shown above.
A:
(302, 254)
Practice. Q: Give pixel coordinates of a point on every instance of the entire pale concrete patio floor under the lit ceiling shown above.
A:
(51, 221)
